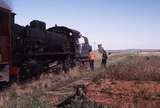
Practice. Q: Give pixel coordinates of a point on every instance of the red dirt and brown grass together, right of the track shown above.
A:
(134, 82)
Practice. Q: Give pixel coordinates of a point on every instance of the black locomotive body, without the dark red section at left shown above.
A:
(35, 48)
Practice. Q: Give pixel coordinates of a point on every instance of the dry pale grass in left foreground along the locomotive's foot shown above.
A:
(39, 93)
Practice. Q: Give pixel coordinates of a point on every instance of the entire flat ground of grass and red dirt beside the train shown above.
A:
(131, 80)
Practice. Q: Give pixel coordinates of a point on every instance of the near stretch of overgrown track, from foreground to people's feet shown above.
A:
(62, 91)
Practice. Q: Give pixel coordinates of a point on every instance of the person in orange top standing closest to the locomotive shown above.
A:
(91, 57)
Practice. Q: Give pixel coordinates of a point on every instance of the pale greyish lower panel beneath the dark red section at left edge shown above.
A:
(4, 73)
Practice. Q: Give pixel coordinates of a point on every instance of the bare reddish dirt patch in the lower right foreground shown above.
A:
(125, 94)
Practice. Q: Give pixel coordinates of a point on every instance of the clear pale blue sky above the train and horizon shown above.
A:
(116, 24)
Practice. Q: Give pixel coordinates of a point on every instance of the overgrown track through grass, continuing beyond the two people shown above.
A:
(68, 88)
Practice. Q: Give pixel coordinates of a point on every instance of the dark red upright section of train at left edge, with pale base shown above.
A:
(4, 44)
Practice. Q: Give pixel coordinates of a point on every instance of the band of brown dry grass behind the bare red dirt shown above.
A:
(136, 68)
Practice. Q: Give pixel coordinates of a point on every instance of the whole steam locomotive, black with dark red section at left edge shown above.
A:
(27, 51)
